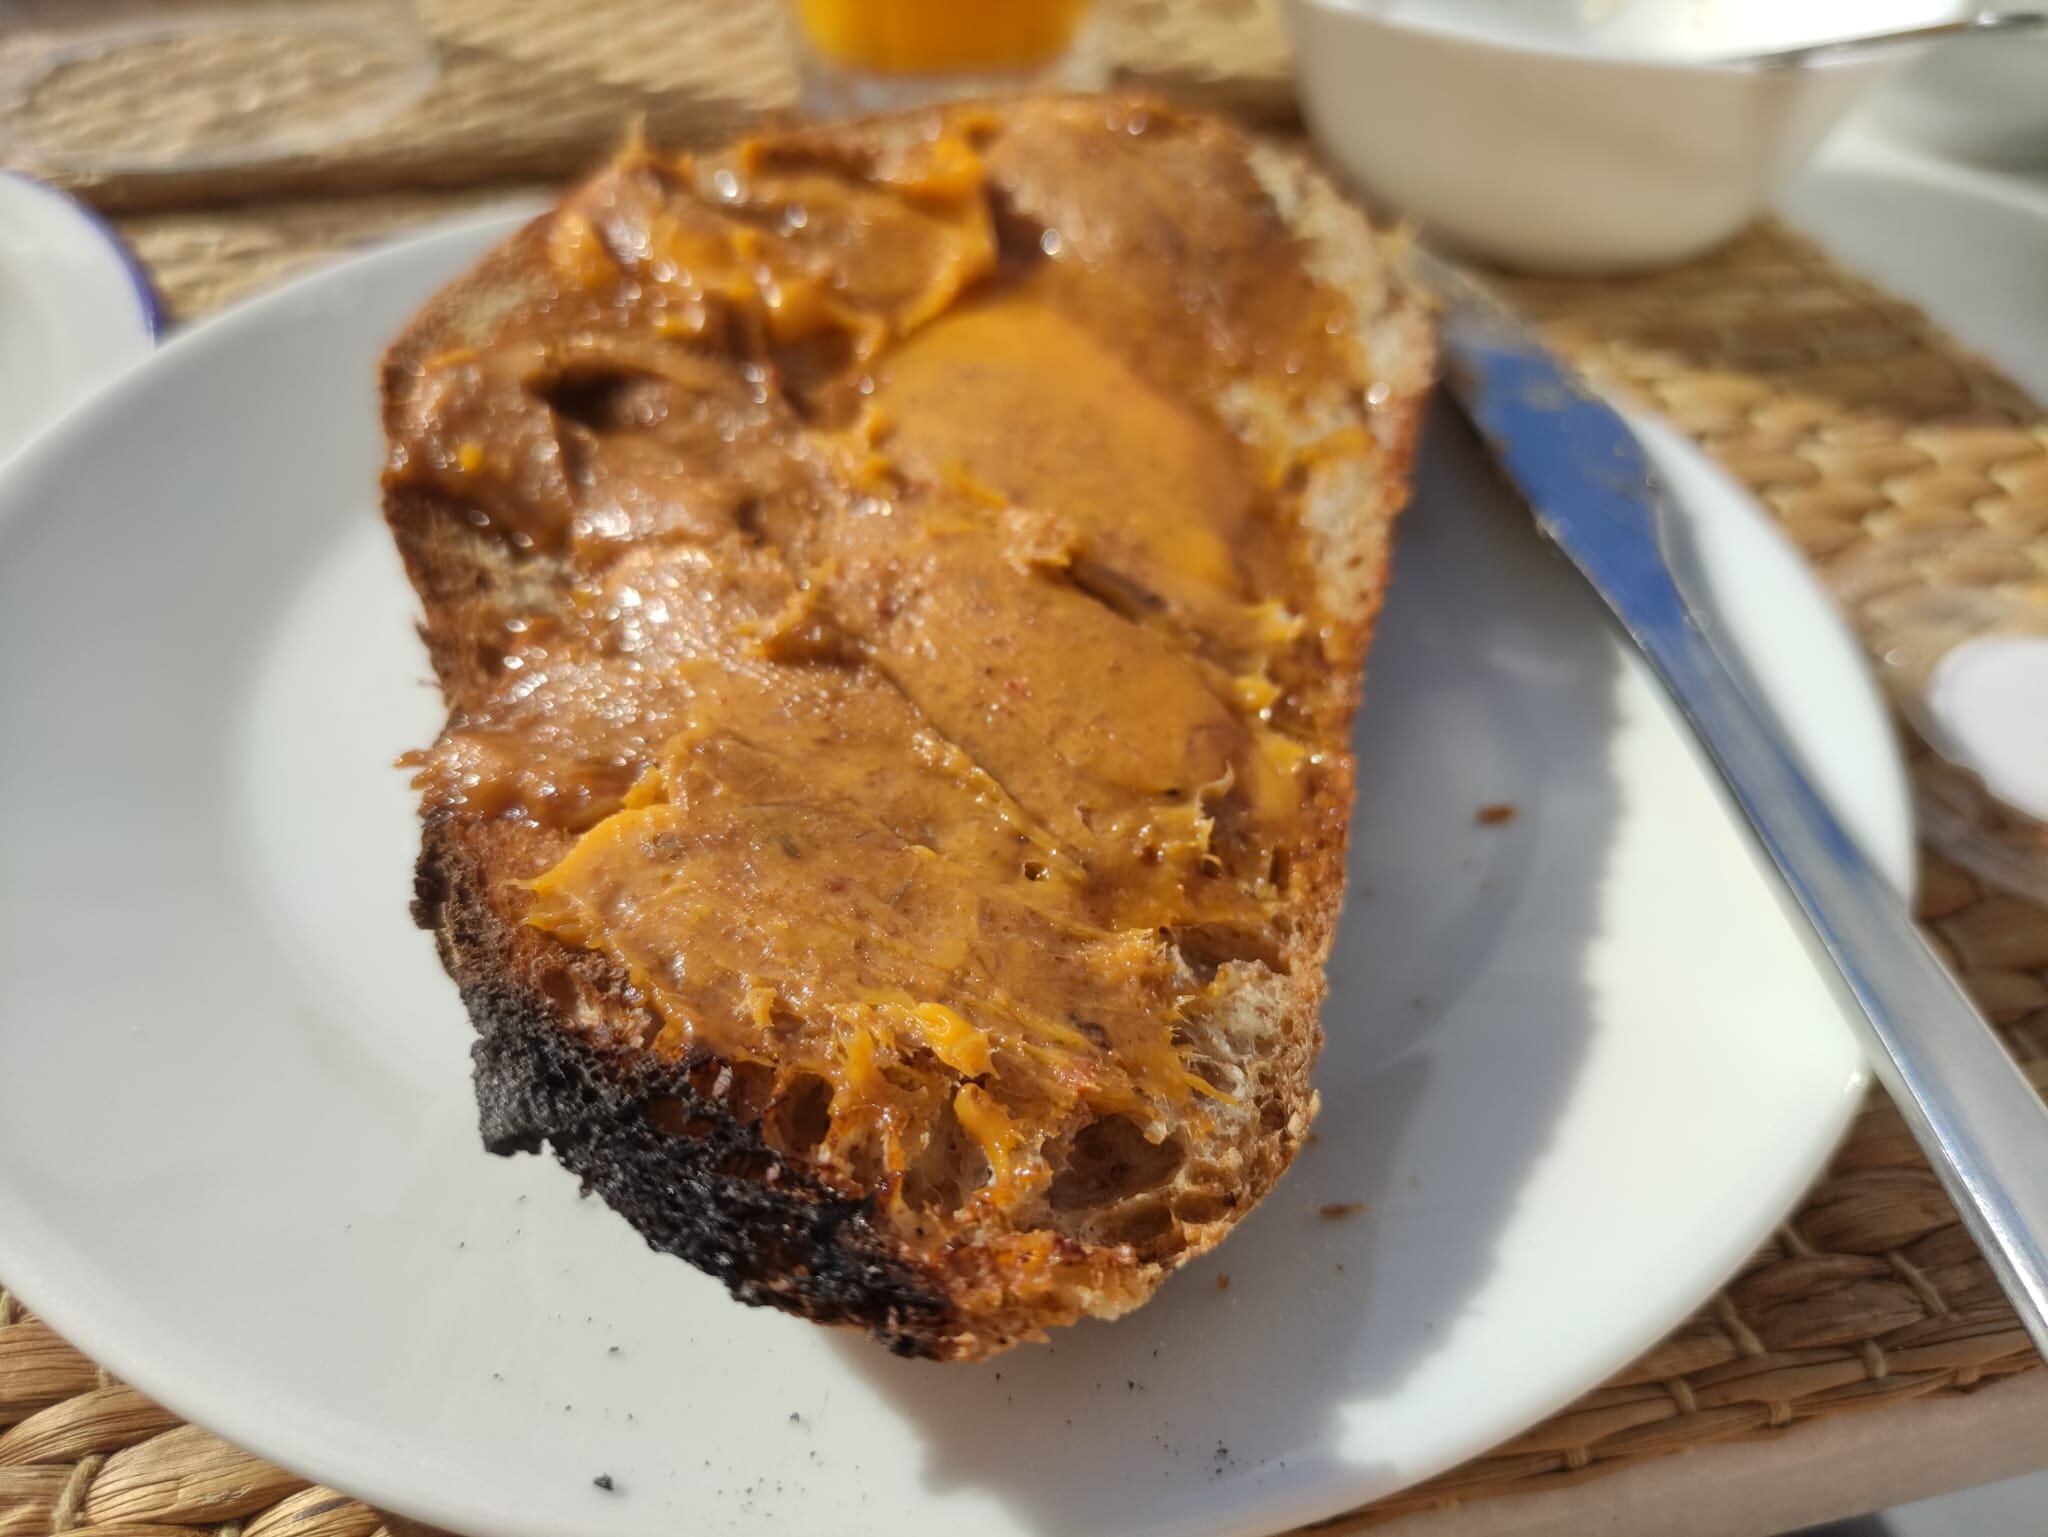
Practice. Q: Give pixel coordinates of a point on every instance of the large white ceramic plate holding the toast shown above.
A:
(1578, 1063)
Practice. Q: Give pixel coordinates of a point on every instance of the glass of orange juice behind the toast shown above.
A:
(869, 56)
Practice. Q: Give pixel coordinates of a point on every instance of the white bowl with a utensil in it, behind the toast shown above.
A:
(1572, 136)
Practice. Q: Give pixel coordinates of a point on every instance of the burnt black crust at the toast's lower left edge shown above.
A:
(718, 1198)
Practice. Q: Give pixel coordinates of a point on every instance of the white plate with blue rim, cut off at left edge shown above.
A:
(75, 306)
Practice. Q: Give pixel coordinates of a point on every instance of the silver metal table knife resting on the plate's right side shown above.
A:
(1592, 491)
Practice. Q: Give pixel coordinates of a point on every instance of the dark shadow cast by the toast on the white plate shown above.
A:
(1455, 1030)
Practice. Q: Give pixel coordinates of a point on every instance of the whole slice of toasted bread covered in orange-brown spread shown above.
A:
(652, 468)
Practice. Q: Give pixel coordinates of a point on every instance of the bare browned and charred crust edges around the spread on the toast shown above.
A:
(562, 1069)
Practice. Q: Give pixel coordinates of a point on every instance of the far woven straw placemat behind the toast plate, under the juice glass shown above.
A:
(531, 89)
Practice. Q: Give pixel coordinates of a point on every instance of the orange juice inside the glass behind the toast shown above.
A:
(910, 38)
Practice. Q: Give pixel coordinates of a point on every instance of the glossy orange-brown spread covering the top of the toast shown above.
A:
(925, 681)
